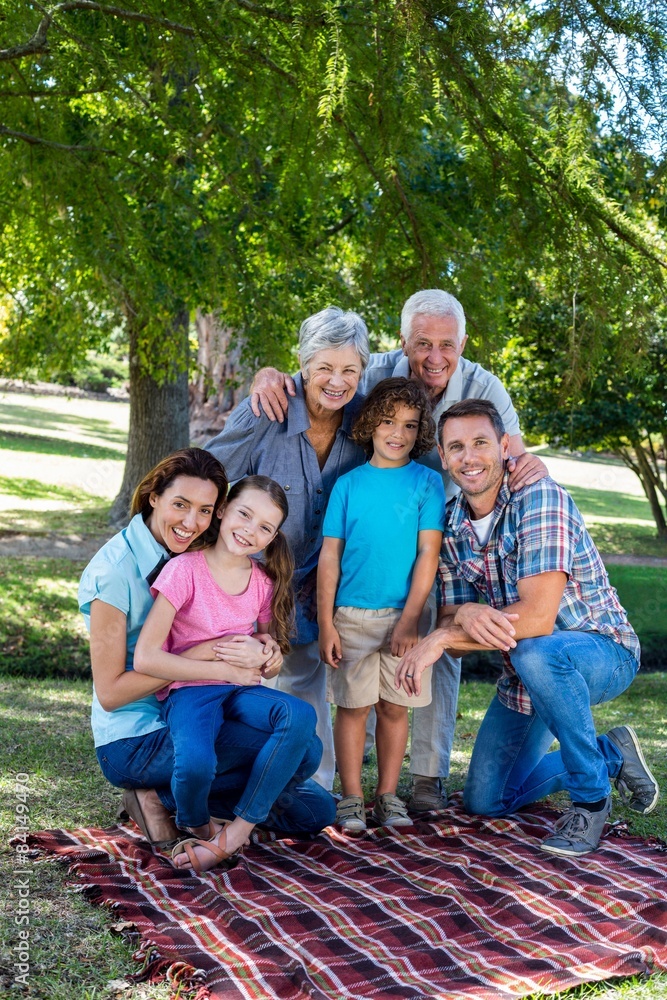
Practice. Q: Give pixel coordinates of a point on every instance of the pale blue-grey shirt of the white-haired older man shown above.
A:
(469, 381)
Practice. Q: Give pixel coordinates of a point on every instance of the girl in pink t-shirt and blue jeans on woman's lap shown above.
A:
(215, 592)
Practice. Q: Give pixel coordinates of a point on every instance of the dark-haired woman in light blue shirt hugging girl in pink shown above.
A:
(173, 508)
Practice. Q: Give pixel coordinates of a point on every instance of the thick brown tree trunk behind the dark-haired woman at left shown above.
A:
(159, 421)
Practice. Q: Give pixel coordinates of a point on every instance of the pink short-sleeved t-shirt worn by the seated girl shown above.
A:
(204, 610)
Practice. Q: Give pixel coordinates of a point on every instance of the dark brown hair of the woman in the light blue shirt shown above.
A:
(193, 462)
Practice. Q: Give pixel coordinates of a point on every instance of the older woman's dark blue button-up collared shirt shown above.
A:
(250, 445)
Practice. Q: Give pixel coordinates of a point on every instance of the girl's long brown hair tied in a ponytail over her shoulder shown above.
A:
(278, 560)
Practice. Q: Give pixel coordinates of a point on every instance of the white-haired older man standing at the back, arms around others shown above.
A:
(433, 337)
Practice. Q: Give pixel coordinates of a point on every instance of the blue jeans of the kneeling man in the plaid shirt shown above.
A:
(564, 673)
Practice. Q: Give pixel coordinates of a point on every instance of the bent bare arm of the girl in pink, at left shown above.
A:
(150, 658)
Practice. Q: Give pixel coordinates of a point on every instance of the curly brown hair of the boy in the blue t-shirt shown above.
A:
(382, 402)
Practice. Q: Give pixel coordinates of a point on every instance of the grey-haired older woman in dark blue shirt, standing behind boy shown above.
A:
(306, 453)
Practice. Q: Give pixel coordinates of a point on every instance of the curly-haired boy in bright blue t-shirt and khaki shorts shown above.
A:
(382, 535)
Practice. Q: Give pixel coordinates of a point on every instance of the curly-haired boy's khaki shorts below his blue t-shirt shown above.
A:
(366, 672)
